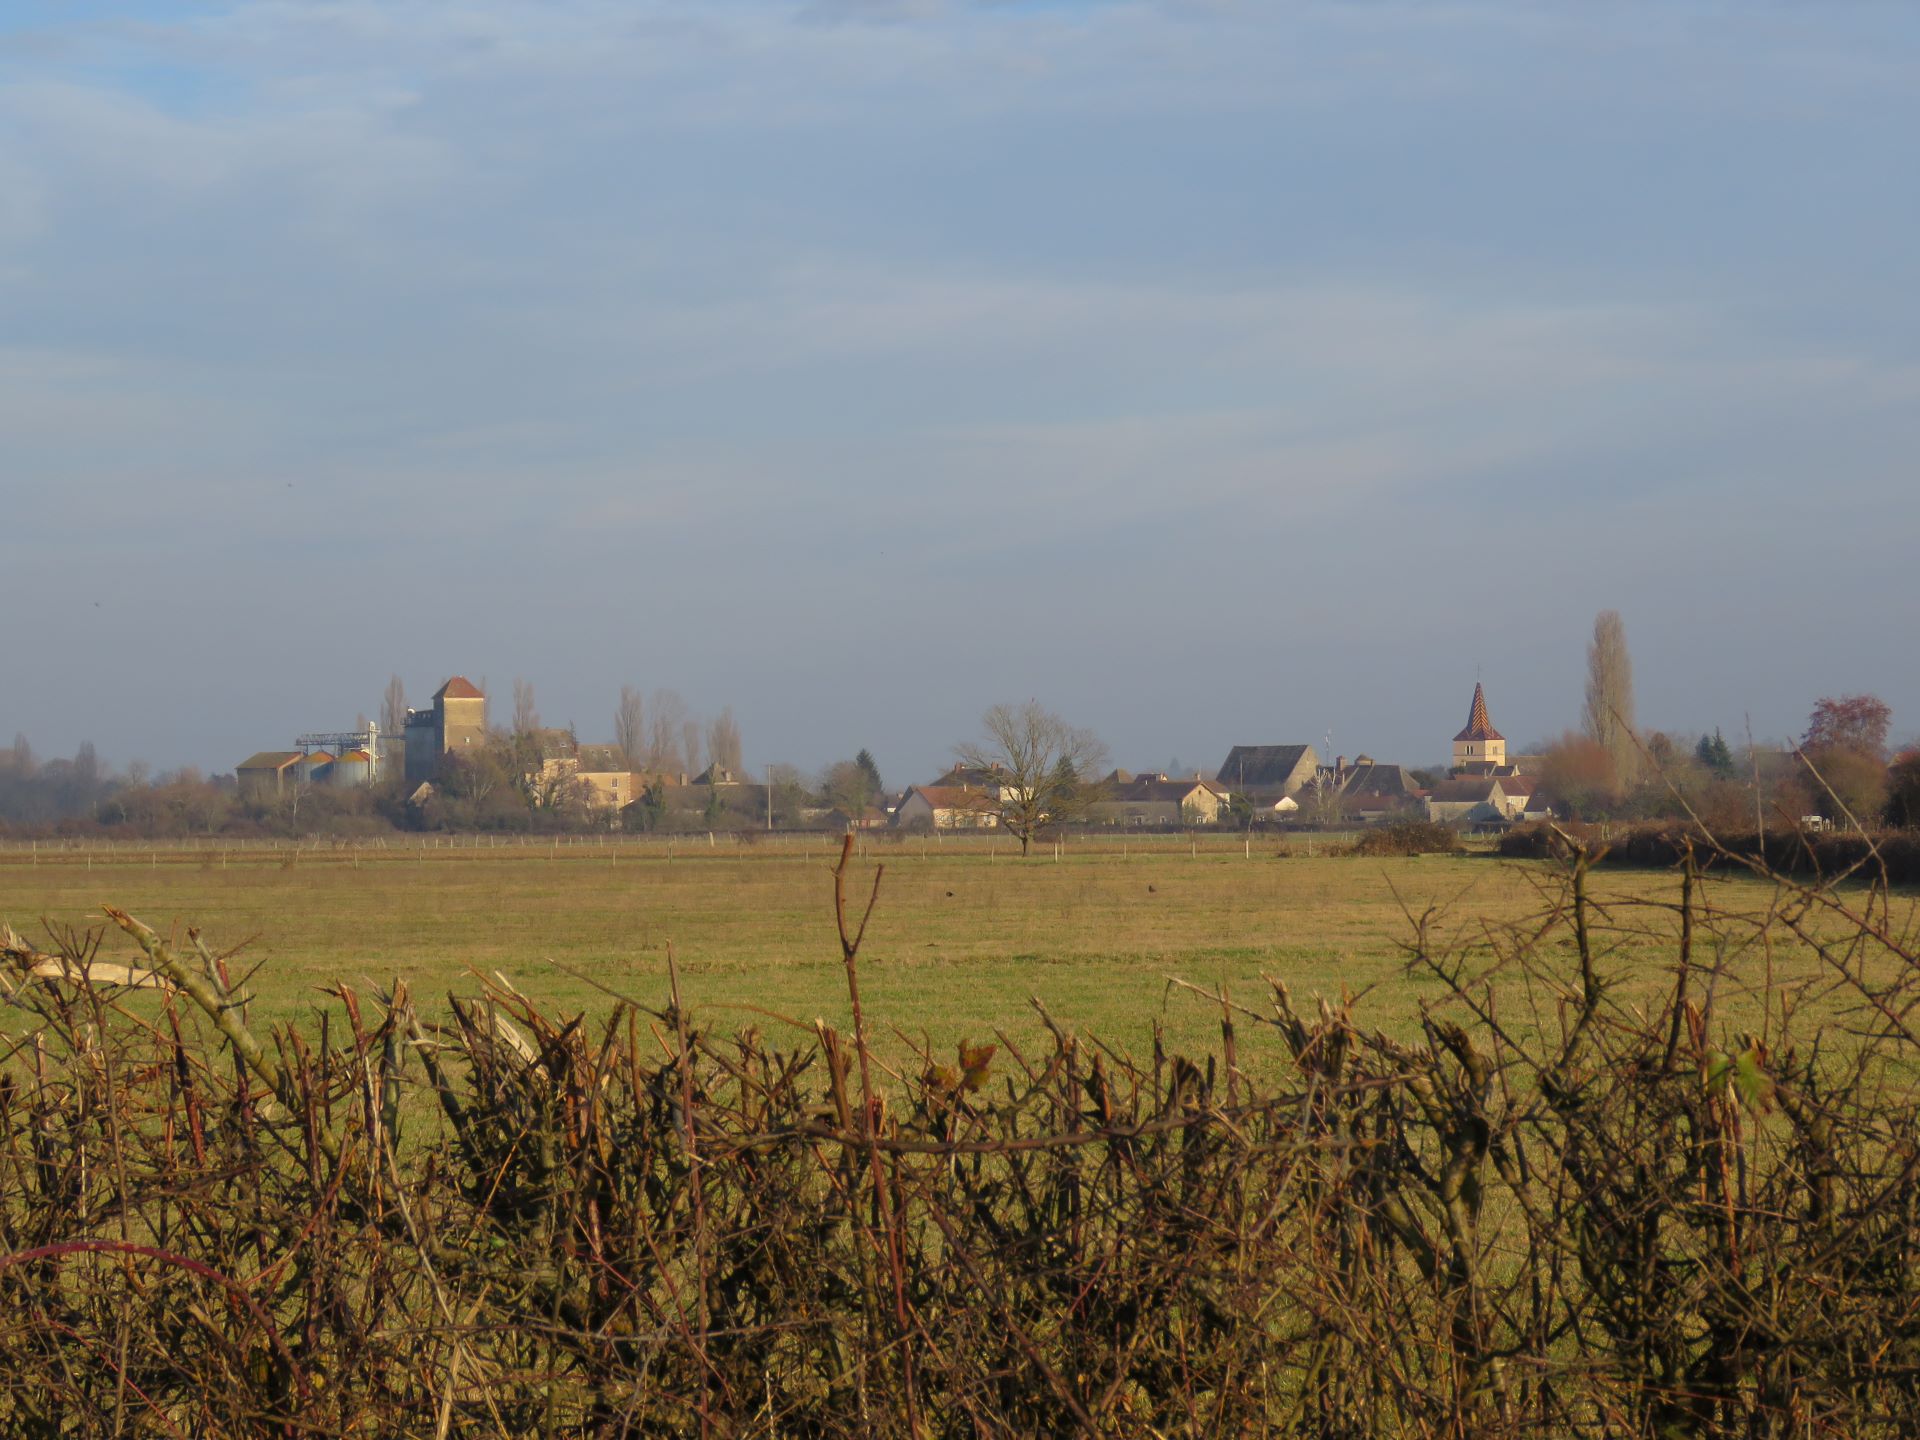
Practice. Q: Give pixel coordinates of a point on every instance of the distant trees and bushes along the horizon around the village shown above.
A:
(1842, 769)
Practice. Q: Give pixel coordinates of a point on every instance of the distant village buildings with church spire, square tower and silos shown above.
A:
(443, 750)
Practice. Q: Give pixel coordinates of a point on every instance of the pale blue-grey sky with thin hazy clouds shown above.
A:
(1212, 372)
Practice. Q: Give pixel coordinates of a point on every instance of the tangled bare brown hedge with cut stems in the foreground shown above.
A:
(1625, 1218)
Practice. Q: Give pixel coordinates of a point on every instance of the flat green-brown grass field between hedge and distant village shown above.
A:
(961, 940)
